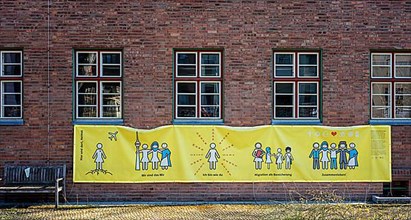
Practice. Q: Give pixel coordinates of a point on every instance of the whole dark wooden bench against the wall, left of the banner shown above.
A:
(35, 179)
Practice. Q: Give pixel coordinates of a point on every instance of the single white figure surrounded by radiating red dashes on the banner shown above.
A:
(215, 153)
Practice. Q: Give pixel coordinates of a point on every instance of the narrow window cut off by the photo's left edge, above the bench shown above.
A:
(11, 85)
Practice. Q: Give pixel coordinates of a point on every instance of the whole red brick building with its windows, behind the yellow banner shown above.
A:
(127, 63)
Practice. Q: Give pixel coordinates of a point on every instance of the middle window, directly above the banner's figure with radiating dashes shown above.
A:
(198, 80)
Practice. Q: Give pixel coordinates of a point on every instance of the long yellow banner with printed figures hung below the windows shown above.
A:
(117, 154)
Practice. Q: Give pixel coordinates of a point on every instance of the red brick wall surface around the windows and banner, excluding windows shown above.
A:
(148, 31)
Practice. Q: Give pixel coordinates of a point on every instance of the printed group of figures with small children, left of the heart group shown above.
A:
(259, 154)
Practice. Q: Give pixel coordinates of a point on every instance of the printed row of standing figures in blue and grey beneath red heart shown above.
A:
(327, 154)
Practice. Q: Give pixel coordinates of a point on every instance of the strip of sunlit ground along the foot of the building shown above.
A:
(213, 211)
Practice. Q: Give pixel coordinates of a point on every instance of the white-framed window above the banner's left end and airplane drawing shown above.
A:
(98, 83)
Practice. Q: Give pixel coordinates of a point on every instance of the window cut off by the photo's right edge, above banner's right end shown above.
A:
(391, 86)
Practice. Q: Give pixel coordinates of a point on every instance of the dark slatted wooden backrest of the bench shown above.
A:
(33, 175)
